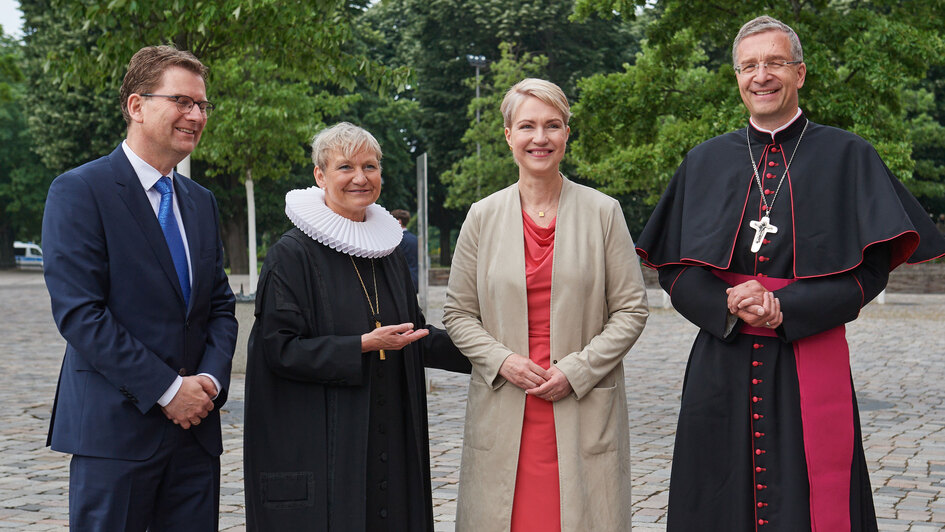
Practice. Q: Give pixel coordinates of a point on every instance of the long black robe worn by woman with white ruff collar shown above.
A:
(336, 439)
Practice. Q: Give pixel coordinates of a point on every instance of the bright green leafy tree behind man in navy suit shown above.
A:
(266, 58)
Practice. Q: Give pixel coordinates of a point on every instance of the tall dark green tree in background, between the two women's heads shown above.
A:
(434, 38)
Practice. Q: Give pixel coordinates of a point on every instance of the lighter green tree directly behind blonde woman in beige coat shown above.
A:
(479, 174)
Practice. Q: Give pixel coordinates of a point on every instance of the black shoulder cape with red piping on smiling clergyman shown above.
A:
(842, 196)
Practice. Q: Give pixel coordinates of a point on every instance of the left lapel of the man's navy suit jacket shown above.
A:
(136, 200)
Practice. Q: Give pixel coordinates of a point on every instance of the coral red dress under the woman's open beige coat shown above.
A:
(536, 504)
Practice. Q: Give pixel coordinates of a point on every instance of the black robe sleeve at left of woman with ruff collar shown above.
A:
(285, 339)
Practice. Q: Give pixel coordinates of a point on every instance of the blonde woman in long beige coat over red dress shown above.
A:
(594, 310)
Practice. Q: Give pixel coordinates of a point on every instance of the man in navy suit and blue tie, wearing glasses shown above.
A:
(134, 268)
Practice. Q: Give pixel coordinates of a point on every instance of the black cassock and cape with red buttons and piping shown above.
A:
(844, 221)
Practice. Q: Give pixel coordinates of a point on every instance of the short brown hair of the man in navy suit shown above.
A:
(147, 67)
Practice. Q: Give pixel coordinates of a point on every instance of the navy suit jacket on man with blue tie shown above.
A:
(117, 302)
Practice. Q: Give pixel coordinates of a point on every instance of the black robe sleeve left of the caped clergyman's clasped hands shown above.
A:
(700, 297)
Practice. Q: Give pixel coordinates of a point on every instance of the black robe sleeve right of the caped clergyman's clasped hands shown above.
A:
(811, 306)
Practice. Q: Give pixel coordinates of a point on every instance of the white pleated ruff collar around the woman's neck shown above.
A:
(377, 236)
